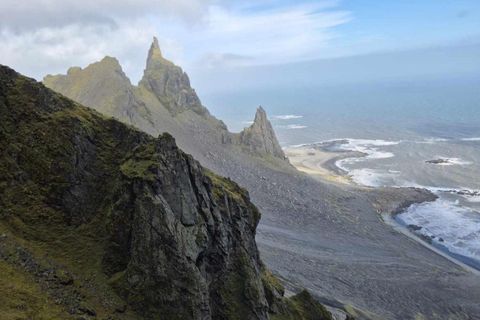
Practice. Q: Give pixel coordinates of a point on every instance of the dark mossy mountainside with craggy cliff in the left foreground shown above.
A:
(99, 220)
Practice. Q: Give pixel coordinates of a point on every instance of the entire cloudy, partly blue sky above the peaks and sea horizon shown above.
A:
(39, 37)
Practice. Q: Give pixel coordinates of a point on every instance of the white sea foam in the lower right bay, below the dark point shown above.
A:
(448, 224)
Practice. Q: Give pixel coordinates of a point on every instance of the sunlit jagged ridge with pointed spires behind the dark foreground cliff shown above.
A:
(163, 101)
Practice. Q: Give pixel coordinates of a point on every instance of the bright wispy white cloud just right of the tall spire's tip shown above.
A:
(274, 34)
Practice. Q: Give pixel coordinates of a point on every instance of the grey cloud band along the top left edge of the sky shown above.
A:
(34, 14)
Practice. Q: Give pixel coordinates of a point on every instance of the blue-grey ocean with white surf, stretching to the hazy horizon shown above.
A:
(412, 134)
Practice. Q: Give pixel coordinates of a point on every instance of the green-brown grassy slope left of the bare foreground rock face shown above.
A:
(51, 262)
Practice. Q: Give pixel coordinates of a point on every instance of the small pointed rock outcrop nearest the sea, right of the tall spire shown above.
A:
(260, 138)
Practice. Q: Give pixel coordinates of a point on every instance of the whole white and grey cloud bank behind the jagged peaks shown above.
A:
(38, 37)
